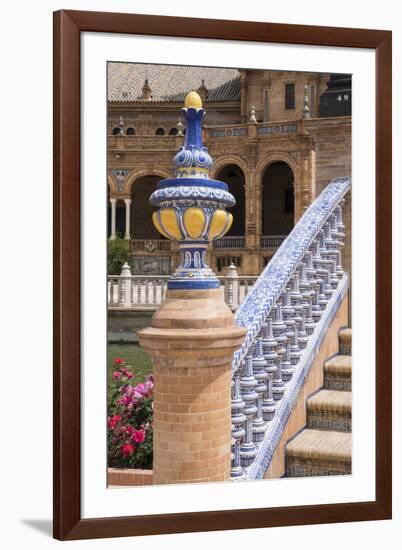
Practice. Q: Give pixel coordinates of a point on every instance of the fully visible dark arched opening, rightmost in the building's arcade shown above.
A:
(277, 199)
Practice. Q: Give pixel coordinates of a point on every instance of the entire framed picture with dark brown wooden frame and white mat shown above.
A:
(222, 223)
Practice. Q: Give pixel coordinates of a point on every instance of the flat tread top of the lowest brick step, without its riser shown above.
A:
(324, 445)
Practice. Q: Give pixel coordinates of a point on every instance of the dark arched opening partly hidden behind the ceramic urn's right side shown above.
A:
(234, 177)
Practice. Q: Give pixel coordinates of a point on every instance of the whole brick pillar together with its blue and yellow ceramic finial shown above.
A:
(192, 336)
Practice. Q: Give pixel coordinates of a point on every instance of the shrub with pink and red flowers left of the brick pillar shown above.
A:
(130, 417)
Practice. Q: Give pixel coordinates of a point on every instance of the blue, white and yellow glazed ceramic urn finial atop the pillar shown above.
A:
(192, 207)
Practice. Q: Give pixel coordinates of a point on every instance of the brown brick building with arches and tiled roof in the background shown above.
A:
(268, 141)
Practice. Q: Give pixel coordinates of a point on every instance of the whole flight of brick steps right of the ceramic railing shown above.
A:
(324, 446)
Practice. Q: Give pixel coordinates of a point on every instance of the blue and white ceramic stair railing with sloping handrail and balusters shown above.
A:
(286, 314)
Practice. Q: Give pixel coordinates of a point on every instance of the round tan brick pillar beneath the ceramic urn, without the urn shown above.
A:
(191, 340)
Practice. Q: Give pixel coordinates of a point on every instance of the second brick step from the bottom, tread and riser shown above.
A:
(330, 410)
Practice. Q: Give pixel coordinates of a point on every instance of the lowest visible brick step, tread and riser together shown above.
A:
(318, 452)
